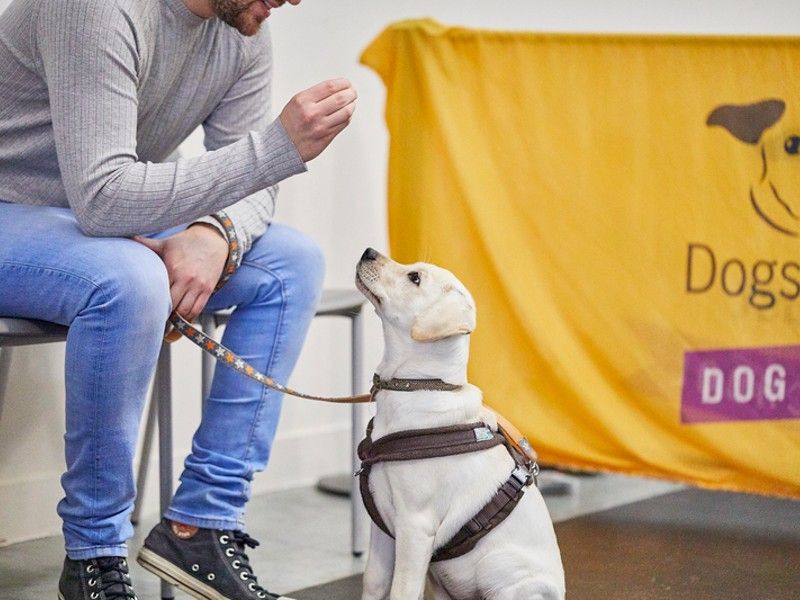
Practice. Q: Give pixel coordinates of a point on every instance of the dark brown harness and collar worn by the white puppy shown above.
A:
(447, 441)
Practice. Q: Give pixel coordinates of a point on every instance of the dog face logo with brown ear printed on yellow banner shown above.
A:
(775, 191)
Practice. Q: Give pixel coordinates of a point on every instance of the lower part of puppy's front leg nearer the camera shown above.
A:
(413, 550)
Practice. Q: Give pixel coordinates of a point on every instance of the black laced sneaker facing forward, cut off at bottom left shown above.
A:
(104, 578)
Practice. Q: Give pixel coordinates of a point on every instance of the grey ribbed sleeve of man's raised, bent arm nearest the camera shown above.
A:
(90, 59)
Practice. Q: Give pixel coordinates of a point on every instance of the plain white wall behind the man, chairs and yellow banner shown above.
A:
(341, 203)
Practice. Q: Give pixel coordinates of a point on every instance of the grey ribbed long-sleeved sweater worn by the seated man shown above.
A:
(96, 94)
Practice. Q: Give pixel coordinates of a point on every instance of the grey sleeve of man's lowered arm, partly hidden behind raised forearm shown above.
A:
(246, 107)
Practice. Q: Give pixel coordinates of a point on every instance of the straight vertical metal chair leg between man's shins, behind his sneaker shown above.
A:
(163, 386)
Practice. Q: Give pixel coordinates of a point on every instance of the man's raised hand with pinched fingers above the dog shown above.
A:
(314, 117)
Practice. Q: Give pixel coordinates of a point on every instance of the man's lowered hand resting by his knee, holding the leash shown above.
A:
(194, 259)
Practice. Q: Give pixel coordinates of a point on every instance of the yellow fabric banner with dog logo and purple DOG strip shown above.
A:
(625, 210)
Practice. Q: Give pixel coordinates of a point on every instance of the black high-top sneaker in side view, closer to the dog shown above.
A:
(210, 564)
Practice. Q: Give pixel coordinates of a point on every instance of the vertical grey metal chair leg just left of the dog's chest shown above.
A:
(359, 518)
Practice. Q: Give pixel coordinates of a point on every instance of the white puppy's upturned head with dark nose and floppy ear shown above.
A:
(422, 302)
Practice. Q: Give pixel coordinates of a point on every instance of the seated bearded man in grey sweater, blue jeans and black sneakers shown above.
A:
(94, 96)
